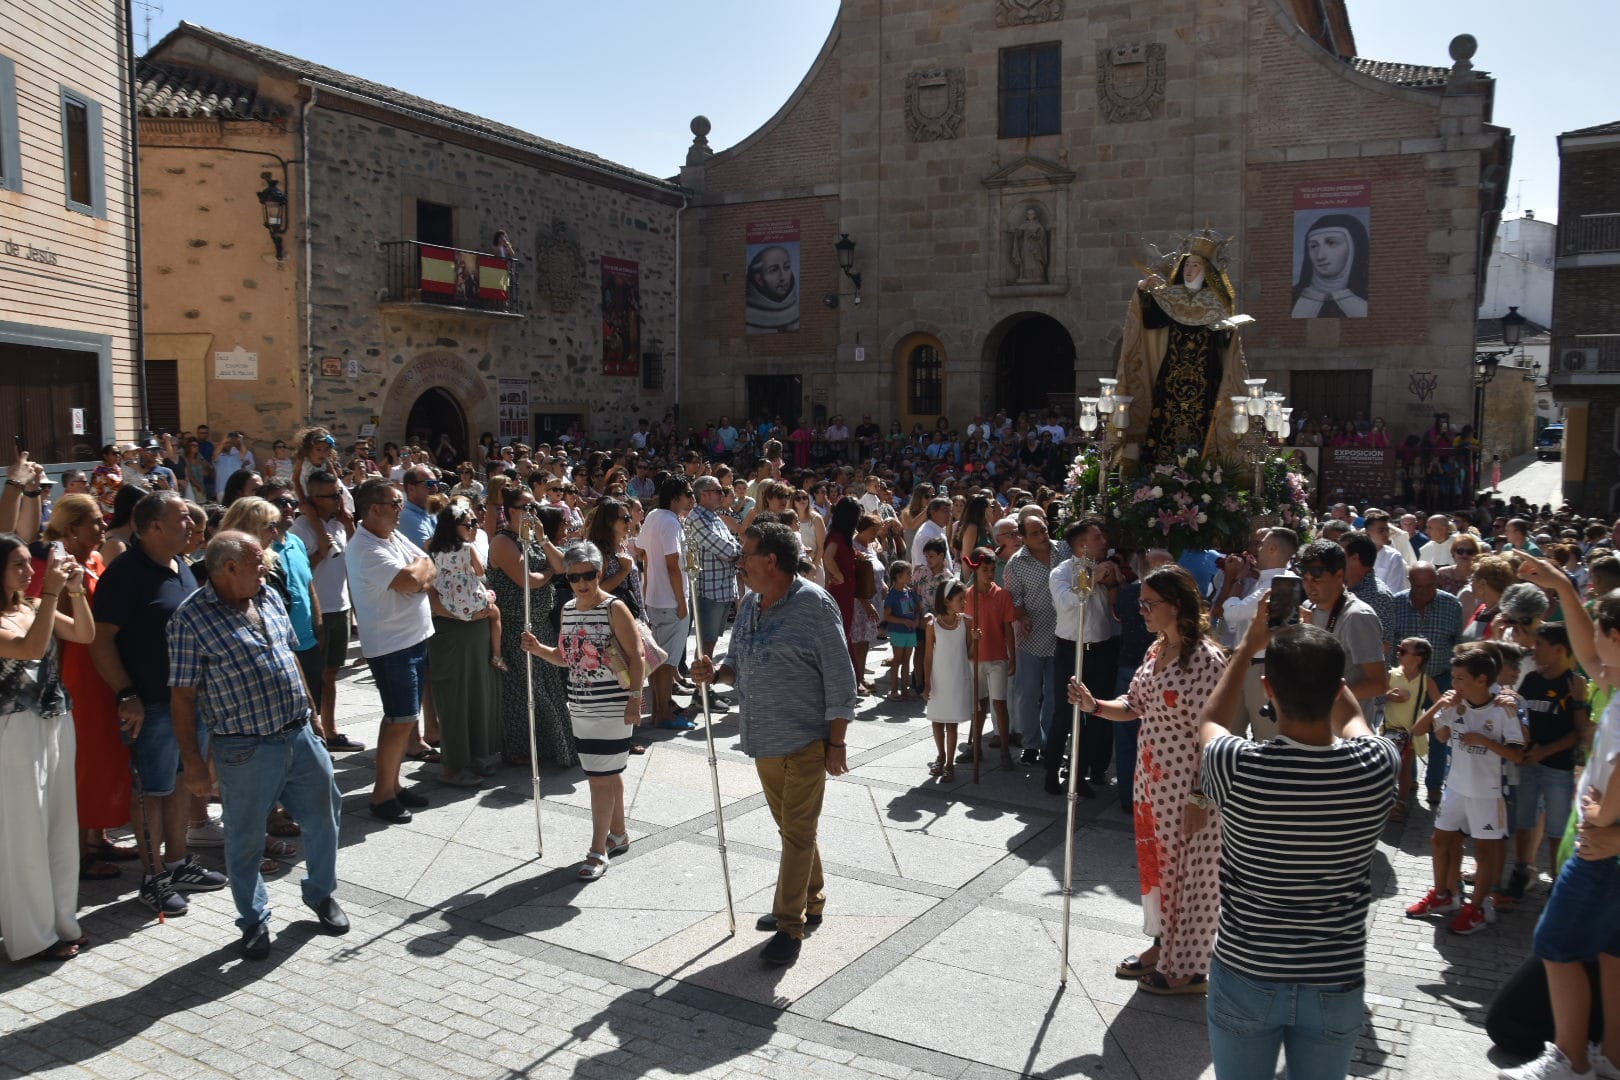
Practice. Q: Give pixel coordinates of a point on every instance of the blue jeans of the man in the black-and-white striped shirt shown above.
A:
(1315, 1026)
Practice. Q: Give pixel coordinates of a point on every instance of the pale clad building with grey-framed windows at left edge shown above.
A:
(70, 376)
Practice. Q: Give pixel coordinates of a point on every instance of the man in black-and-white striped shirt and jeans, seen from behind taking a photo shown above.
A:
(1300, 823)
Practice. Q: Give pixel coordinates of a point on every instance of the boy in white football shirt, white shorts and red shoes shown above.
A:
(1481, 734)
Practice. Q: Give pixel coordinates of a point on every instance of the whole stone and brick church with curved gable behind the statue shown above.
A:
(1000, 166)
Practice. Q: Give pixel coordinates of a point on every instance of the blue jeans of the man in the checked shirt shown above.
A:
(255, 773)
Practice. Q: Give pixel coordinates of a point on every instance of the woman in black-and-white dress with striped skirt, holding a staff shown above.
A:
(599, 636)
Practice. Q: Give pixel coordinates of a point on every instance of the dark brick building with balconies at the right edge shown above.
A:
(1587, 317)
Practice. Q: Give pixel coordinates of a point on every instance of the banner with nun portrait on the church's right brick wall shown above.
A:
(1332, 253)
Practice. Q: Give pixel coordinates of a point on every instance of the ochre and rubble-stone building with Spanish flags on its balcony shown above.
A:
(385, 307)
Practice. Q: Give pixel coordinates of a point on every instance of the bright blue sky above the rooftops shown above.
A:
(623, 80)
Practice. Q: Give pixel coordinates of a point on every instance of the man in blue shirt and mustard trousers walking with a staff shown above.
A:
(791, 666)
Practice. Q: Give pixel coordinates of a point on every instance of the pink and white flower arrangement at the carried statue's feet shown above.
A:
(1195, 503)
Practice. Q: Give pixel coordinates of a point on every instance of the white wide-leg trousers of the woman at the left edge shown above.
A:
(40, 833)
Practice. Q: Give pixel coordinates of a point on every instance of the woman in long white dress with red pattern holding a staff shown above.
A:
(1177, 840)
